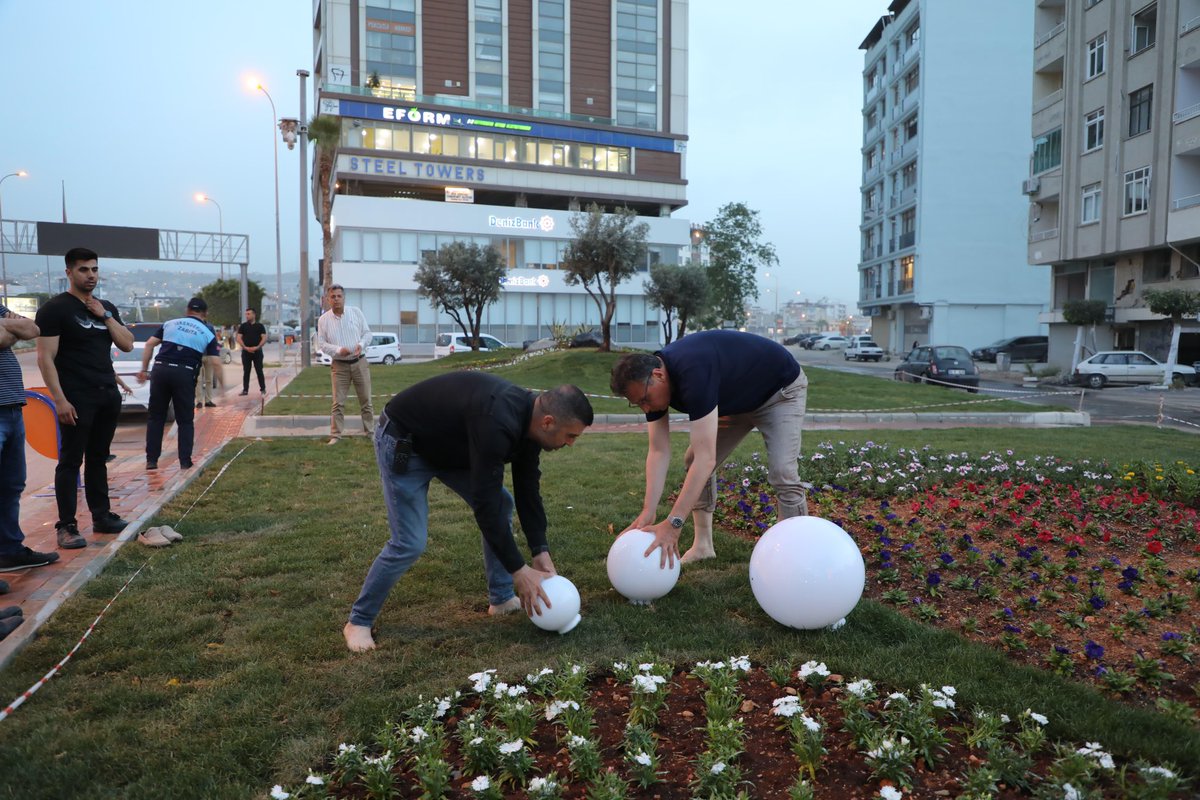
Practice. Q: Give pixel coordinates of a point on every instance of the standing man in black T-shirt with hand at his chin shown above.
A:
(77, 333)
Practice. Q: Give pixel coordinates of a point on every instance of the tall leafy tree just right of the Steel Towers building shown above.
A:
(736, 254)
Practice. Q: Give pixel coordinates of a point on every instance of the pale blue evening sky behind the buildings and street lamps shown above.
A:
(139, 105)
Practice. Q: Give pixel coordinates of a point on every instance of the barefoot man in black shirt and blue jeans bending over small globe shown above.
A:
(463, 429)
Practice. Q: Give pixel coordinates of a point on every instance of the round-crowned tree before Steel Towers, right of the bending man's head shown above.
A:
(607, 250)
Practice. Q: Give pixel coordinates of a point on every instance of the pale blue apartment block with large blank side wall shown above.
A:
(945, 148)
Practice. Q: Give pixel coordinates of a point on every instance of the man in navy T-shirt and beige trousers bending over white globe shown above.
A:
(743, 380)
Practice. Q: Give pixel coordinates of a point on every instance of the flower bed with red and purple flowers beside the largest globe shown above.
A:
(1071, 568)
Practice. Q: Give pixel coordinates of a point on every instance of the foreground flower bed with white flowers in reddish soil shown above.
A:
(723, 730)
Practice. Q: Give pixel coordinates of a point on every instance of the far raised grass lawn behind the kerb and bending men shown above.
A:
(590, 370)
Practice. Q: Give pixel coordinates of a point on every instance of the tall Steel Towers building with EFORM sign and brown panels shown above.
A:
(495, 122)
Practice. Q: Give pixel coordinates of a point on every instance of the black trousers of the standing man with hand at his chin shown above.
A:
(91, 437)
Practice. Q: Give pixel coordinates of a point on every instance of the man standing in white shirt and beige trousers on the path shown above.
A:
(343, 335)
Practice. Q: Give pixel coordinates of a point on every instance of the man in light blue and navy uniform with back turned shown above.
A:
(188, 344)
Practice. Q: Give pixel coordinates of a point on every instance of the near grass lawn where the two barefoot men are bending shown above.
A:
(221, 671)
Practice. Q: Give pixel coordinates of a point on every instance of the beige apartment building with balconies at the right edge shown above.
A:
(1114, 184)
